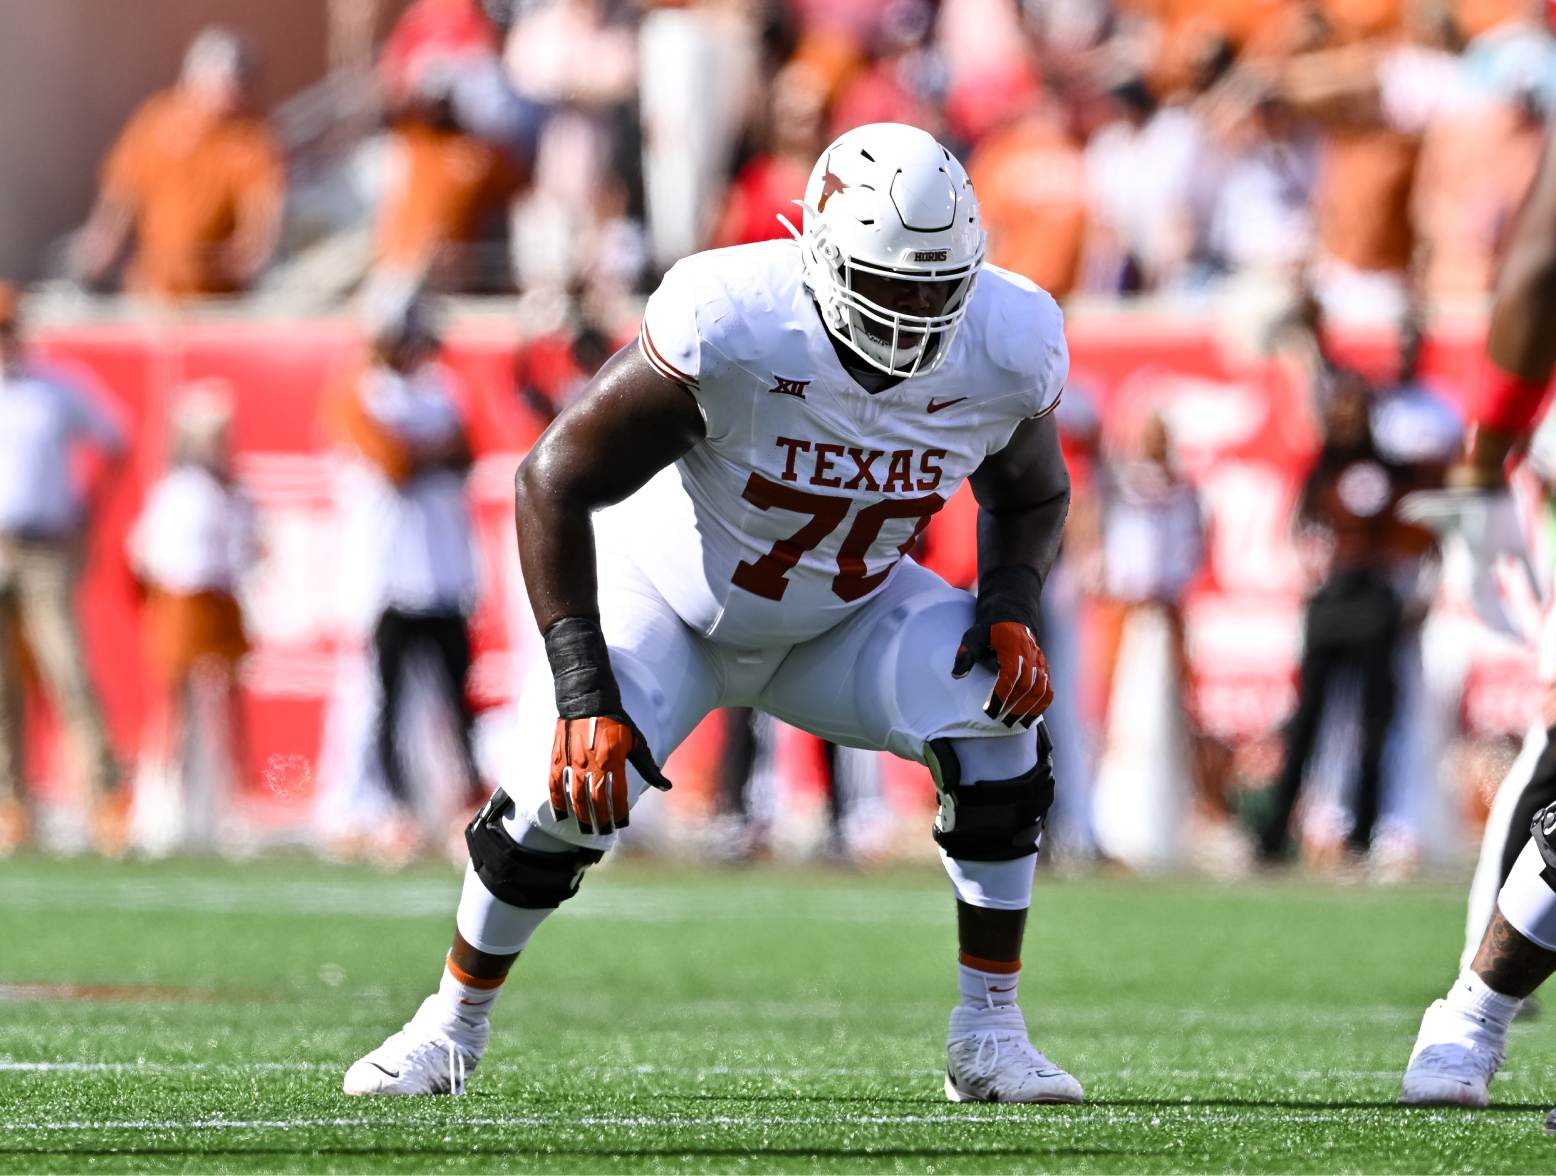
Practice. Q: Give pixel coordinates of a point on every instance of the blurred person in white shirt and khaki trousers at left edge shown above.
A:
(44, 421)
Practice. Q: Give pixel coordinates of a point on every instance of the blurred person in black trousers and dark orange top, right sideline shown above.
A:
(1356, 617)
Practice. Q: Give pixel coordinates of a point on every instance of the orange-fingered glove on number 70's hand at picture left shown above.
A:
(589, 772)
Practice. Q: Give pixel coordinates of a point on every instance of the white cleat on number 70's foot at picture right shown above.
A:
(990, 1060)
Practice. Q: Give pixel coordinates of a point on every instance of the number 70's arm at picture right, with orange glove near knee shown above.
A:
(1023, 495)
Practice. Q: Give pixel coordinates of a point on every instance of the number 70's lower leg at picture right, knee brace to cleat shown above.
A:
(994, 799)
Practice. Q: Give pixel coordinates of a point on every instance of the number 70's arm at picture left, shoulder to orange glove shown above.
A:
(629, 424)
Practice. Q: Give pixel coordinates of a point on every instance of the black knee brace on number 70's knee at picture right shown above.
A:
(992, 821)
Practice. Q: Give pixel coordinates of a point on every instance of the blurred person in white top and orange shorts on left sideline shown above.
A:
(191, 548)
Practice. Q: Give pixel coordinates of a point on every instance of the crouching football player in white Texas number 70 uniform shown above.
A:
(723, 520)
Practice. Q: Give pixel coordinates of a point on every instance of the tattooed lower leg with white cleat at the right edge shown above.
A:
(1463, 1037)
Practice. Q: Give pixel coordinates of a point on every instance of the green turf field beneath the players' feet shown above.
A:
(200, 1017)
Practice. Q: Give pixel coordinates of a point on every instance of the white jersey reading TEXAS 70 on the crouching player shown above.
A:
(808, 491)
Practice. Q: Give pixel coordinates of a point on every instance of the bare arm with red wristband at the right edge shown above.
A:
(1521, 345)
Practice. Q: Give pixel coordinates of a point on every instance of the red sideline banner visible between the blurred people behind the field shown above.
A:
(1246, 435)
